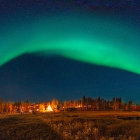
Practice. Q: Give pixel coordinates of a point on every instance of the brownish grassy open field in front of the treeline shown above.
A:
(71, 125)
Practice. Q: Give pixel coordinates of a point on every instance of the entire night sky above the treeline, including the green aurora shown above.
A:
(67, 49)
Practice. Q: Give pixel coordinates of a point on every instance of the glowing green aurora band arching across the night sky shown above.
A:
(93, 39)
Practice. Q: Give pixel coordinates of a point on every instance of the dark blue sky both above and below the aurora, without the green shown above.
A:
(40, 78)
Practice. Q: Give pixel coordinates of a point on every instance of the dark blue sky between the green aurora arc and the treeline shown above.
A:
(40, 78)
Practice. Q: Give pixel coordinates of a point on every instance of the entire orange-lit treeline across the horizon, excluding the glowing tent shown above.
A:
(84, 104)
